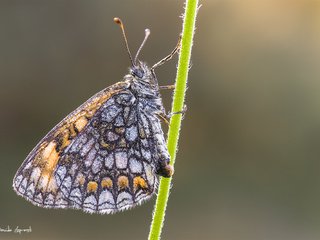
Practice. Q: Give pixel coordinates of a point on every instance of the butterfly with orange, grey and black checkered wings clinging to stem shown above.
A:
(107, 155)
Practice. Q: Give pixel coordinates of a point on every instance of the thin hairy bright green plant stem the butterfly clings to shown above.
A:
(175, 121)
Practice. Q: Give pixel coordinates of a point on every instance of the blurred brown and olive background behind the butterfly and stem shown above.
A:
(248, 163)
